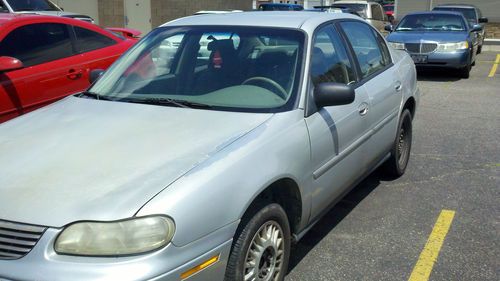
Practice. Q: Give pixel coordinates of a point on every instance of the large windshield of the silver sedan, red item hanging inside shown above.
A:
(221, 68)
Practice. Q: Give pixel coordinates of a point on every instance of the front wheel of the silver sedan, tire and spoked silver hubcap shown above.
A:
(269, 264)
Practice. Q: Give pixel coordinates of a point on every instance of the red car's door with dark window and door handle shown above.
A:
(51, 69)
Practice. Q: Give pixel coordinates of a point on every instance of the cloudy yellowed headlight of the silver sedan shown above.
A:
(126, 237)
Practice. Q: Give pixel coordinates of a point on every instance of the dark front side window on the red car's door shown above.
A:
(38, 43)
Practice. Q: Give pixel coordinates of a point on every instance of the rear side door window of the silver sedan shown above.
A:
(366, 47)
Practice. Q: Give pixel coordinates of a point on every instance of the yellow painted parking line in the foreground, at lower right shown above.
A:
(429, 255)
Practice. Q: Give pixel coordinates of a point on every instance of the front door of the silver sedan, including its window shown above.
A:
(337, 132)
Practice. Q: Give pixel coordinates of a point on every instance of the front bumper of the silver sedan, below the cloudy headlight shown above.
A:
(167, 264)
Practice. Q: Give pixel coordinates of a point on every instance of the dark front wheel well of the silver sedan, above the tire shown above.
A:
(284, 192)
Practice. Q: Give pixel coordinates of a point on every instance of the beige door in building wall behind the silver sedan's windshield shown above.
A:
(138, 15)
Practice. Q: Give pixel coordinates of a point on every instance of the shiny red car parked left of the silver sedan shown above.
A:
(45, 58)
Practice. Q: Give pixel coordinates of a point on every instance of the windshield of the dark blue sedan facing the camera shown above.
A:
(431, 22)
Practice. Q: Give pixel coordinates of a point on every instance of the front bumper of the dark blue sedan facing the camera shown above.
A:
(458, 59)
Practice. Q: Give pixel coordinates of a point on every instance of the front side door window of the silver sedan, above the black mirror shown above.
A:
(330, 62)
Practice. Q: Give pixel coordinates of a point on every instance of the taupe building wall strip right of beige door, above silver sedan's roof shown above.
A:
(163, 11)
